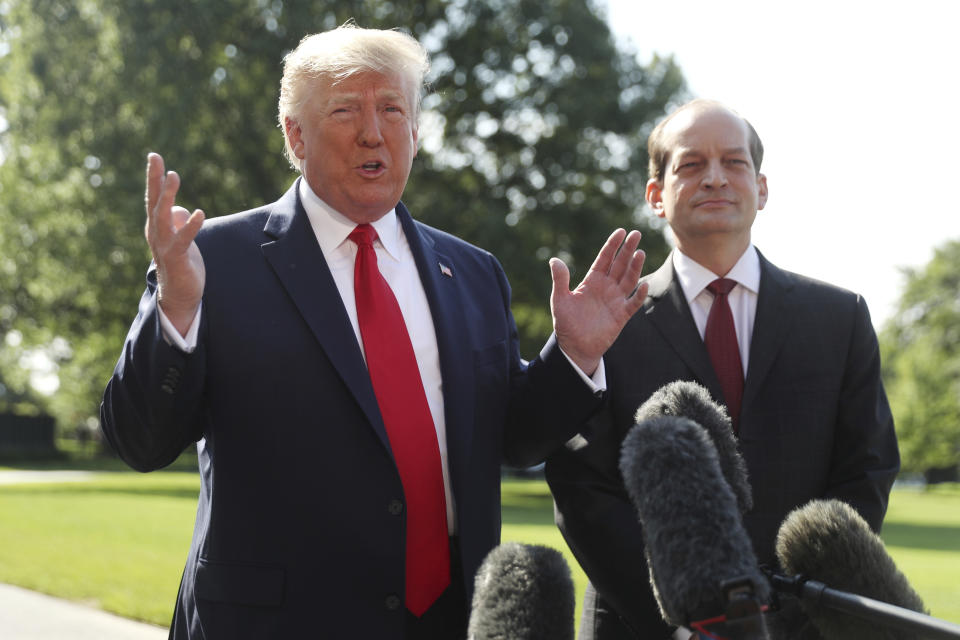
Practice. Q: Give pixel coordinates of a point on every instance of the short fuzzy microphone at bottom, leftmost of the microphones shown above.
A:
(522, 592)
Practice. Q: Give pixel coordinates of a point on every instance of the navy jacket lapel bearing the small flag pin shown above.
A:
(438, 274)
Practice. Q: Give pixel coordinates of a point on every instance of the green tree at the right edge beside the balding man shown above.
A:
(921, 363)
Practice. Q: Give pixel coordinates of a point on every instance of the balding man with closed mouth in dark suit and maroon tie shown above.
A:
(800, 374)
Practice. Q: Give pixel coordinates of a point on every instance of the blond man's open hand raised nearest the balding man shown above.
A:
(588, 319)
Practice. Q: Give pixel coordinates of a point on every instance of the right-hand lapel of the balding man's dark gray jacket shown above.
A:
(776, 310)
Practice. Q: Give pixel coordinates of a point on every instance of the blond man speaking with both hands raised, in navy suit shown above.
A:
(351, 377)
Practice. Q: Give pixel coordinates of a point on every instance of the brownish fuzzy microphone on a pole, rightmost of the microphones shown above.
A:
(827, 541)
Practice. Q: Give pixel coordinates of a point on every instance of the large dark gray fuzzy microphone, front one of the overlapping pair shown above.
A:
(702, 565)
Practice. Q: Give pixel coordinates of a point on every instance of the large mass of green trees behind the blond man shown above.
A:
(532, 146)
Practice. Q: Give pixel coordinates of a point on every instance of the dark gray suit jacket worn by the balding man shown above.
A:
(814, 423)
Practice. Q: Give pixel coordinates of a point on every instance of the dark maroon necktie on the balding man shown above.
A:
(721, 340)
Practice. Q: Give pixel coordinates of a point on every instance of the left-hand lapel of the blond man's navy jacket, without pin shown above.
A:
(291, 249)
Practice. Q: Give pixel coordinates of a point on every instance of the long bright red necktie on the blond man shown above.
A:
(406, 415)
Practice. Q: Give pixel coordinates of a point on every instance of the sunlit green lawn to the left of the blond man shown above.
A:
(117, 542)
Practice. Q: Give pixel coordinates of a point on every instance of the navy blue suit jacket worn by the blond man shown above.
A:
(300, 522)
